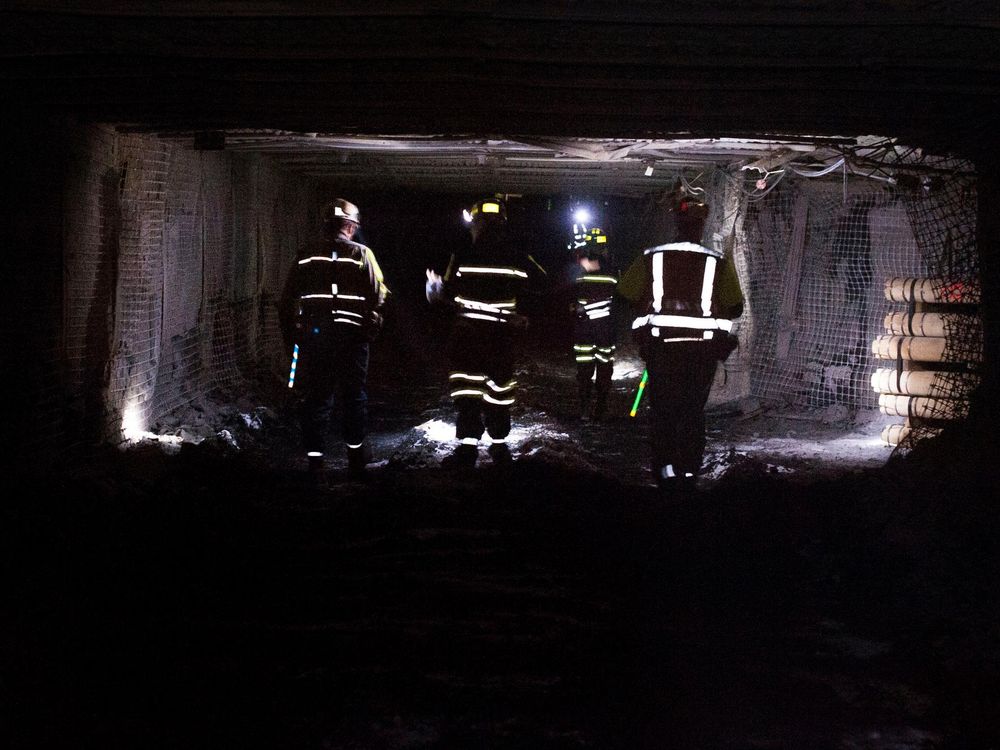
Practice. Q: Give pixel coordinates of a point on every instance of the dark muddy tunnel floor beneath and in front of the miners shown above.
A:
(813, 594)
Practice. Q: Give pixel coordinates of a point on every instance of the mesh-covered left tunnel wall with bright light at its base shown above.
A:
(163, 276)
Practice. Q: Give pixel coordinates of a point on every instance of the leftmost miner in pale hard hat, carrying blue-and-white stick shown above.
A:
(332, 305)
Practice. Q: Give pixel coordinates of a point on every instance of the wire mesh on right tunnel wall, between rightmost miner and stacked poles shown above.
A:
(814, 256)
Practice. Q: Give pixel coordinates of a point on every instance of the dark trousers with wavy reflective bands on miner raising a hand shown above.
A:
(482, 366)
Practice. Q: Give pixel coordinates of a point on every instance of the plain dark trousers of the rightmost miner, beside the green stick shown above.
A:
(680, 380)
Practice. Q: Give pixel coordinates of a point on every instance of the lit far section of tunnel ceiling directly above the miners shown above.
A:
(524, 164)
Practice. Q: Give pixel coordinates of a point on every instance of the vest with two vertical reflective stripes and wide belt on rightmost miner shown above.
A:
(684, 300)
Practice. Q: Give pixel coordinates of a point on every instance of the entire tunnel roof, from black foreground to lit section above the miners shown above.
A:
(585, 93)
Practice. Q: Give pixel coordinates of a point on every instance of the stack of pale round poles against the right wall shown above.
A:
(931, 355)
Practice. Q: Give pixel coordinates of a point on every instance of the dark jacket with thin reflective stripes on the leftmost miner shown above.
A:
(339, 287)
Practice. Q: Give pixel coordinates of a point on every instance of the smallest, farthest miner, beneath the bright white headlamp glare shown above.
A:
(591, 282)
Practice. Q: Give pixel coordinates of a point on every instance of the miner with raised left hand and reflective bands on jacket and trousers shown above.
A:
(482, 285)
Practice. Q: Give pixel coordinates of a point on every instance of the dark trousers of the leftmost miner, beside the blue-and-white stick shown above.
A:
(332, 366)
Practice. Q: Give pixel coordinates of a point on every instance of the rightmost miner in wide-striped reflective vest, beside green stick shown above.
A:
(688, 296)
